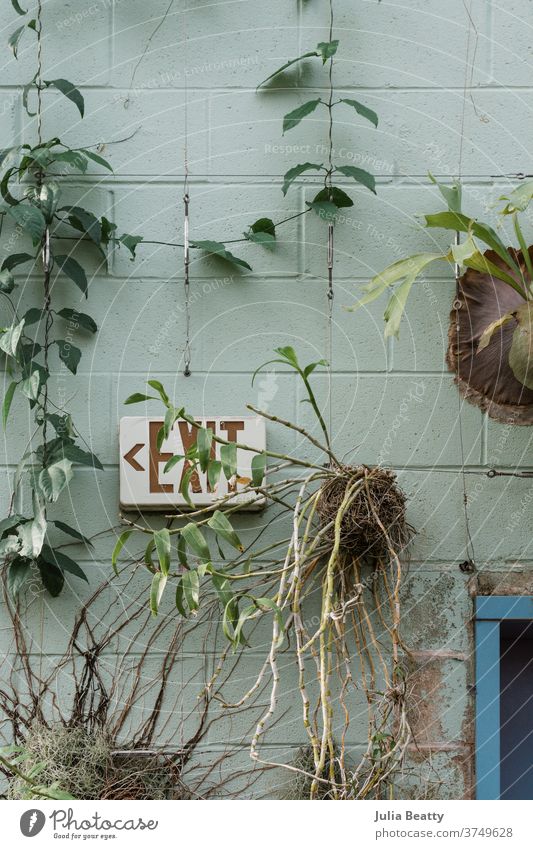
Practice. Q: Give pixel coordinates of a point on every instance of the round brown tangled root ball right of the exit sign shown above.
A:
(376, 511)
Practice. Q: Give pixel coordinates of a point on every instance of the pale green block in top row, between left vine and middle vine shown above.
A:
(225, 45)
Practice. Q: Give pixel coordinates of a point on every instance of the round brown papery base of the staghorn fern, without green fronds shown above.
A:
(496, 376)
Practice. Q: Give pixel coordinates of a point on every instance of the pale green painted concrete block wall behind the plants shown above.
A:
(391, 401)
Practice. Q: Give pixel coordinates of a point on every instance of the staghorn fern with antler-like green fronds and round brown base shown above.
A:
(491, 323)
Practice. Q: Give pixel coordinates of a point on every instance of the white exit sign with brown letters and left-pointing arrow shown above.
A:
(144, 484)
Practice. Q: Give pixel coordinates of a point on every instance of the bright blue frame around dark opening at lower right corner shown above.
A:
(492, 615)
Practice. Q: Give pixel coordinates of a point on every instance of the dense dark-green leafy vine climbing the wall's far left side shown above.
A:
(39, 340)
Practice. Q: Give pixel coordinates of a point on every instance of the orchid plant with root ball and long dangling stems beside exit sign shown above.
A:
(348, 535)
